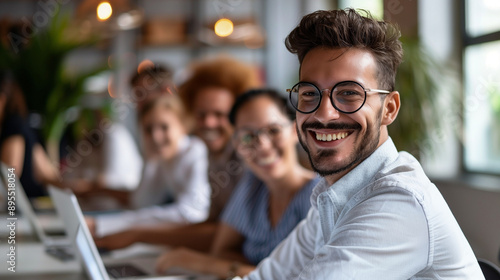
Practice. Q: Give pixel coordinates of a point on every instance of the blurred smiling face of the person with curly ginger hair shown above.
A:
(211, 109)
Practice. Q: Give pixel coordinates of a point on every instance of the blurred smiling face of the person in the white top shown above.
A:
(162, 132)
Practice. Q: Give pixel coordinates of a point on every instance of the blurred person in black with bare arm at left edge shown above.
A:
(19, 145)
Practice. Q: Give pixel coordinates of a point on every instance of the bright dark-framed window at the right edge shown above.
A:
(481, 56)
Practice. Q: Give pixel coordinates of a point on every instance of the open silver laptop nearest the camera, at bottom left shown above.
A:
(69, 209)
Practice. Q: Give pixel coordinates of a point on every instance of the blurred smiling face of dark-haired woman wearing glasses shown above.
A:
(265, 139)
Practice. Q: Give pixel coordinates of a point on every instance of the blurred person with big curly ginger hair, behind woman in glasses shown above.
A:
(209, 94)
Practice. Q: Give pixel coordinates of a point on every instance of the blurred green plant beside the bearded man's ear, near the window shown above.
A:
(421, 81)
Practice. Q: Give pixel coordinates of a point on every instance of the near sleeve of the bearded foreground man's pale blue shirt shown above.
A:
(374, 240)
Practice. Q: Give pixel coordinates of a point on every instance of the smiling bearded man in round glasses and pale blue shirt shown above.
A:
(375, 215)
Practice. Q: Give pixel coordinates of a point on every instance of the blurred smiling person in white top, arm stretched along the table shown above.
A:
(174, 188)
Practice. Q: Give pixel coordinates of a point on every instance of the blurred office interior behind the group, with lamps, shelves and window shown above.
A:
(453, 128)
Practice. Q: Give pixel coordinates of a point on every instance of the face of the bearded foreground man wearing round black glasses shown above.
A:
(356, 135)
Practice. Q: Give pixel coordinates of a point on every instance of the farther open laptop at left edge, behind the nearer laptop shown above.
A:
(57, 246)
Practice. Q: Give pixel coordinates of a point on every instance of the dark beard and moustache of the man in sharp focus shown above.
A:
(364, 148)
